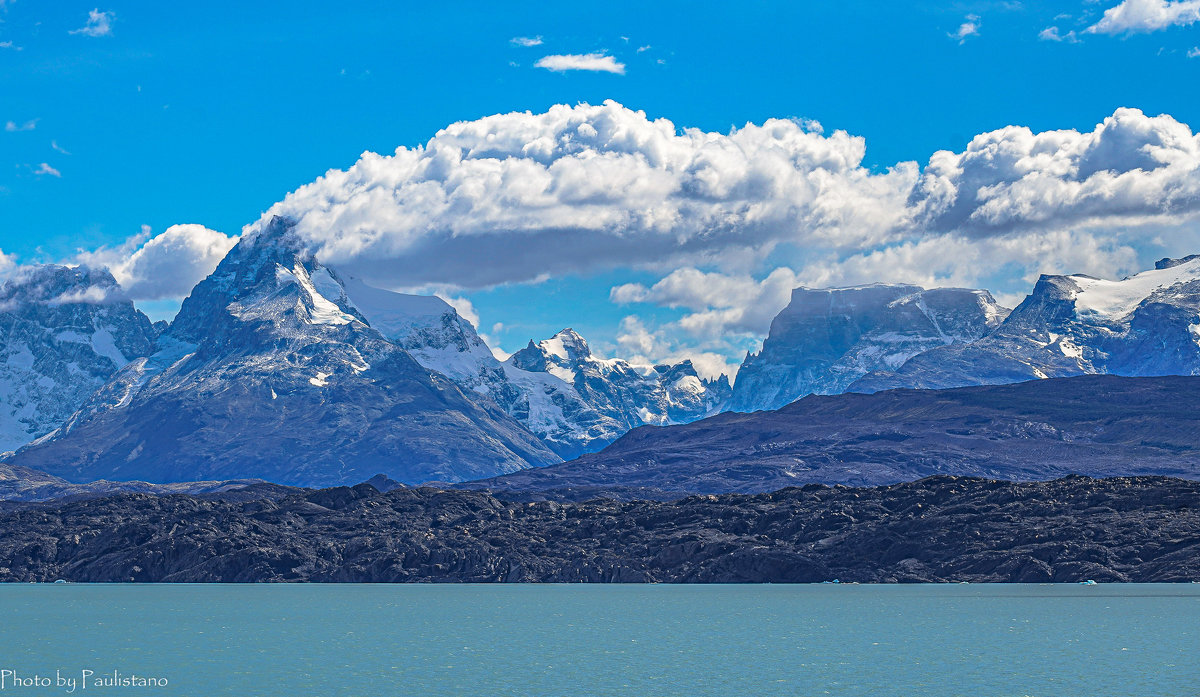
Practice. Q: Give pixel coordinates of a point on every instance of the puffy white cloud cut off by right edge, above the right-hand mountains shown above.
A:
(1131, 170)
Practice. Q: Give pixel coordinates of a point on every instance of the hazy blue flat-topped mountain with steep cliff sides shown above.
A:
(827, 339)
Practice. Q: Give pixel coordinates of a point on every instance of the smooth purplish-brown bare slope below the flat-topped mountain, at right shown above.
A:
(1041, 430)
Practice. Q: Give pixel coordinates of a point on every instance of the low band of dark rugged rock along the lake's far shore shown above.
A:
(1141, 530)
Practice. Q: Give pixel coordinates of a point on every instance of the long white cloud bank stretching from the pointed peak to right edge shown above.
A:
(520, 197)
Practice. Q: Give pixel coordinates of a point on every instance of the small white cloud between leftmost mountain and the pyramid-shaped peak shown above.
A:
(166, 266)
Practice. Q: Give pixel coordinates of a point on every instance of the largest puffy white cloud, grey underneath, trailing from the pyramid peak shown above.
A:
(519, 197)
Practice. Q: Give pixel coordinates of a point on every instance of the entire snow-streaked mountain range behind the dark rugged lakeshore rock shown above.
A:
(281, 369)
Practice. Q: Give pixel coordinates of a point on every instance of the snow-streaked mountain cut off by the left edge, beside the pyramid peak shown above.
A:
(64, 333)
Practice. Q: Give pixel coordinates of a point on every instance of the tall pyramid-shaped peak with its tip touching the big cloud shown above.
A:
(272, 372)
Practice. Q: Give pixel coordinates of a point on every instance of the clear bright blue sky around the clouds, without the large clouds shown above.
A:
(187, 113)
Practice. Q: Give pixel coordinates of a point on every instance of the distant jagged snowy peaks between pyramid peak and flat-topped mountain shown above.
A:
(626, 395)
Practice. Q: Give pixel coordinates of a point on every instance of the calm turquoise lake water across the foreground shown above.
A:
(607, 640)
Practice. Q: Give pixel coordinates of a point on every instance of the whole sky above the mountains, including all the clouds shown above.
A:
(658, 177)
